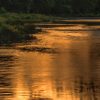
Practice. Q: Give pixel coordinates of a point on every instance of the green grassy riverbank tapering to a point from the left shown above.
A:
(16, 27)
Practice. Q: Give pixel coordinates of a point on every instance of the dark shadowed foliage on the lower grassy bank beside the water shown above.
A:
(13, 33)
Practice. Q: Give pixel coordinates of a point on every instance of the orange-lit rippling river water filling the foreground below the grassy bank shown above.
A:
(63, 64)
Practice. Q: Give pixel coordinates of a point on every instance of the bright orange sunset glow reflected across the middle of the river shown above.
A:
(41, 65)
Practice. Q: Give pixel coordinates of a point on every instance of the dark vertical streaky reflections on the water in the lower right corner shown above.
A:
(82, 88)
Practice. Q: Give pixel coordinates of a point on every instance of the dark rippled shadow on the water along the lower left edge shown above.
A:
(6, 77)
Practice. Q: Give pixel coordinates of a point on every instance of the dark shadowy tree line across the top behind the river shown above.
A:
(56, 7)
